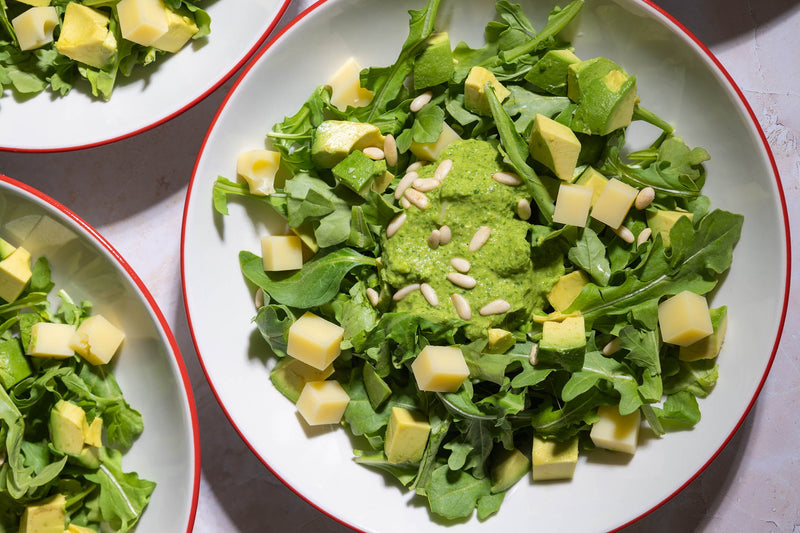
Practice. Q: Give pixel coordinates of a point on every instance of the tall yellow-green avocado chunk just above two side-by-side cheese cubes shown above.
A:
(555, 146)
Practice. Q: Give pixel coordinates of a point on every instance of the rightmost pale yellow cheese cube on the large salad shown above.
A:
(684, 319)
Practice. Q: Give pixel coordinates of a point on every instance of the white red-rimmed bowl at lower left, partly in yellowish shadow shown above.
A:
(148, 367)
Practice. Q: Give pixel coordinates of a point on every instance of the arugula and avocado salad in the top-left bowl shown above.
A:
(48, 45)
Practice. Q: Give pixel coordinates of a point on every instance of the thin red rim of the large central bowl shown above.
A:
(731, 83)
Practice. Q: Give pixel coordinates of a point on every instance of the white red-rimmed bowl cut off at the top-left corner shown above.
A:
(151, 95)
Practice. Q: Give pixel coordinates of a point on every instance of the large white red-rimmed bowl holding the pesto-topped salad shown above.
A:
(678, 79)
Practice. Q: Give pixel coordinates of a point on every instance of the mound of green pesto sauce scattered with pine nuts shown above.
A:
(467, 199)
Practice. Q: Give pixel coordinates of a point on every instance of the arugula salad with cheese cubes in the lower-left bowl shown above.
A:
(64, 423)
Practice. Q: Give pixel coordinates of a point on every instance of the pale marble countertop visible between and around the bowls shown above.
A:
(133, 192)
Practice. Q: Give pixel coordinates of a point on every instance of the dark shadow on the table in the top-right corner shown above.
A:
(715, 21)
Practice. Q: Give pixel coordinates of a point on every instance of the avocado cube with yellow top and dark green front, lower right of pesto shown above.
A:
(563, 343)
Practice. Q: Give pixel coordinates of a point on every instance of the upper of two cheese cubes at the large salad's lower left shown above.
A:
(314, 340)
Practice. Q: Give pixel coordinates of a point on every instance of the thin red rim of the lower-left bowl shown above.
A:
(156, 310)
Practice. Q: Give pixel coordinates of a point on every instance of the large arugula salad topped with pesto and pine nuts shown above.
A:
(480, 279)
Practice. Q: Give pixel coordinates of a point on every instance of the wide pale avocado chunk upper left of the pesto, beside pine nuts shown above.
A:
(335, 139)
